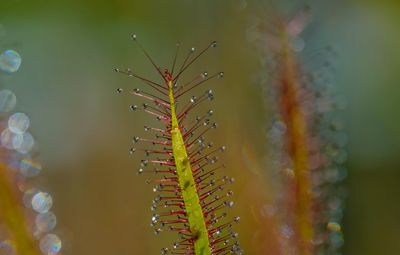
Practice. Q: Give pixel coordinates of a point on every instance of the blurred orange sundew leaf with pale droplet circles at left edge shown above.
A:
(25, 217)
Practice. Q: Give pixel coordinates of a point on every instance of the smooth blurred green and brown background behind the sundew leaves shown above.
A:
(66, 84)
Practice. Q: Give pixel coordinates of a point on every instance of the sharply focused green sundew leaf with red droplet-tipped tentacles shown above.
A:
(192, 199)
